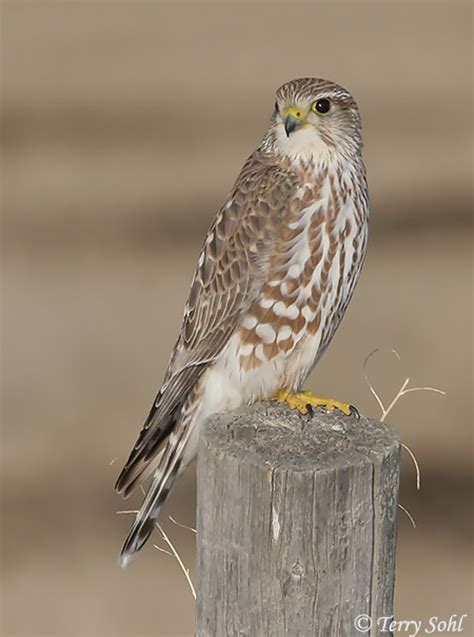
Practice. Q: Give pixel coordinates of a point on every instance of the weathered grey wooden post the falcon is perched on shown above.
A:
(296, 524)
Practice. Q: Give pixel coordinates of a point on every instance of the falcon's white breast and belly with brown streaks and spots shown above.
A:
(311, 275)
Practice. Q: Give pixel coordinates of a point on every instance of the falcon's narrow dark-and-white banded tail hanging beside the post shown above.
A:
(165, 477)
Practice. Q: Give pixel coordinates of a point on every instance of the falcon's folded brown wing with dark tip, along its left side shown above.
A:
(230, 272)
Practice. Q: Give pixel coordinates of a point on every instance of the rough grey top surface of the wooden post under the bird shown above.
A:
(272, 434)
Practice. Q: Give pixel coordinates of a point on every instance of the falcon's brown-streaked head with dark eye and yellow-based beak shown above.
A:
(314, 119)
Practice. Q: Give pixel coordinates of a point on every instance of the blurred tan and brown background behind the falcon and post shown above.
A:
(124, 126)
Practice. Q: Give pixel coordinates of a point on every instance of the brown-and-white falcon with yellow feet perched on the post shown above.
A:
(274, 277)
